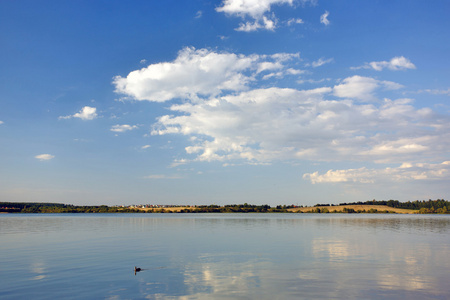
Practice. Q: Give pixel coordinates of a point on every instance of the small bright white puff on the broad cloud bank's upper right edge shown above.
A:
(362, 88)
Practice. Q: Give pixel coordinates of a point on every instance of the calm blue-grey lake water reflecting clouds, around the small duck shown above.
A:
(224, 256)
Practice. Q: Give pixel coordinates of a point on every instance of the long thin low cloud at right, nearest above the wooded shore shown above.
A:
(405, 172)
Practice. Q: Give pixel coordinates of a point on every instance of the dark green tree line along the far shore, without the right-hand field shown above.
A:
(439, 206)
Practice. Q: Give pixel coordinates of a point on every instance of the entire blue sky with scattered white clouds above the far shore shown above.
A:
(201, 102)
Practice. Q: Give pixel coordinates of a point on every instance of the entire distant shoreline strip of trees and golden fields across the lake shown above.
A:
(439, 206)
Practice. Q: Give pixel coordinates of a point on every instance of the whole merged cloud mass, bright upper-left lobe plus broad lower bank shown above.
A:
(228, 120)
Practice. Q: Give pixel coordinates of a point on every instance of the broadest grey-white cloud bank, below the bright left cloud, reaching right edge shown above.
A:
(263, 125)
